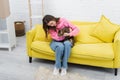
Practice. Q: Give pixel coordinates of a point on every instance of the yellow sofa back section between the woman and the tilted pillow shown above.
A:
(84, 35)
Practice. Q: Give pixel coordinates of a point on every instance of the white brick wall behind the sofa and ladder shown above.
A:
(82, 10)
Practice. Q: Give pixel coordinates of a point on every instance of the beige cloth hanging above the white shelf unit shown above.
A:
(4, 9)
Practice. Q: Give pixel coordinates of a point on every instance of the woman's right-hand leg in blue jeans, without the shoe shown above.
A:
(66, 54)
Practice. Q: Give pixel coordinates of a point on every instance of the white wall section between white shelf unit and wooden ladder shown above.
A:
(19, 11)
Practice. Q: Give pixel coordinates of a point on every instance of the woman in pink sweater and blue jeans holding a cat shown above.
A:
(61, 47)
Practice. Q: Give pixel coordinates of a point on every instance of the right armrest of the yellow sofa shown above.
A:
(116, 47)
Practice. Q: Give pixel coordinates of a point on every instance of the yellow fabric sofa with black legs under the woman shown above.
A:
(88, 49)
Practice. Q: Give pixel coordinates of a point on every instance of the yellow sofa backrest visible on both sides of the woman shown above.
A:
(83, 36)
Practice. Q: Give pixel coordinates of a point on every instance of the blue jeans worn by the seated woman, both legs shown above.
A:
(62, 52)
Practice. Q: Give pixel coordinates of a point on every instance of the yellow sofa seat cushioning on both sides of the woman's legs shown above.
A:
(100, 51)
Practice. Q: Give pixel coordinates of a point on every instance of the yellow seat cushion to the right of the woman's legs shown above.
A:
(103, 51)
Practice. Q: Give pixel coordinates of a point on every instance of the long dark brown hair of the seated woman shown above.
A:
(46, 19)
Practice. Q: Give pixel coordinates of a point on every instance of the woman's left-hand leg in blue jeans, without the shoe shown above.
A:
(58, 47)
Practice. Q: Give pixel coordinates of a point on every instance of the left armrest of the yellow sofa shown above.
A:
(29, 39)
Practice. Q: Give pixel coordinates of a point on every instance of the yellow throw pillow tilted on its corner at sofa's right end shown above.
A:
(105, 30)
